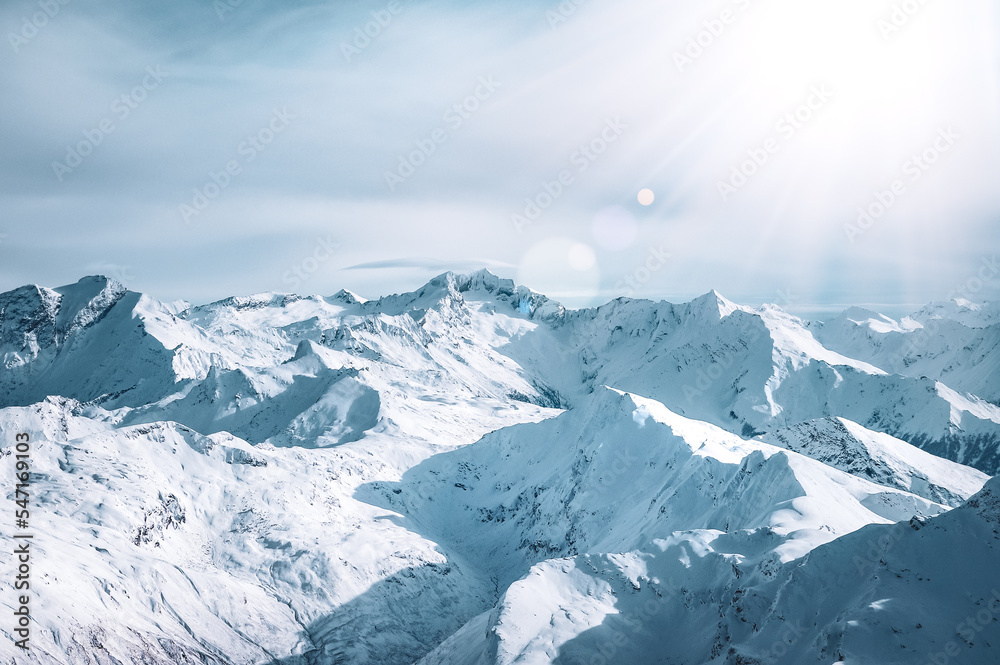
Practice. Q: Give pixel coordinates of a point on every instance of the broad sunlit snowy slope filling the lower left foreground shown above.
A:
(162, 545)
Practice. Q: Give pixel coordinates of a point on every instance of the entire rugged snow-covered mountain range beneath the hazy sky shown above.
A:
(471, 473)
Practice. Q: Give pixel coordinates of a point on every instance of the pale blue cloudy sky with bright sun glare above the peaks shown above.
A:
(809, 153)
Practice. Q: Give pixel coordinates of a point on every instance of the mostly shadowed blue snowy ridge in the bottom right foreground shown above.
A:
(915, 592)
